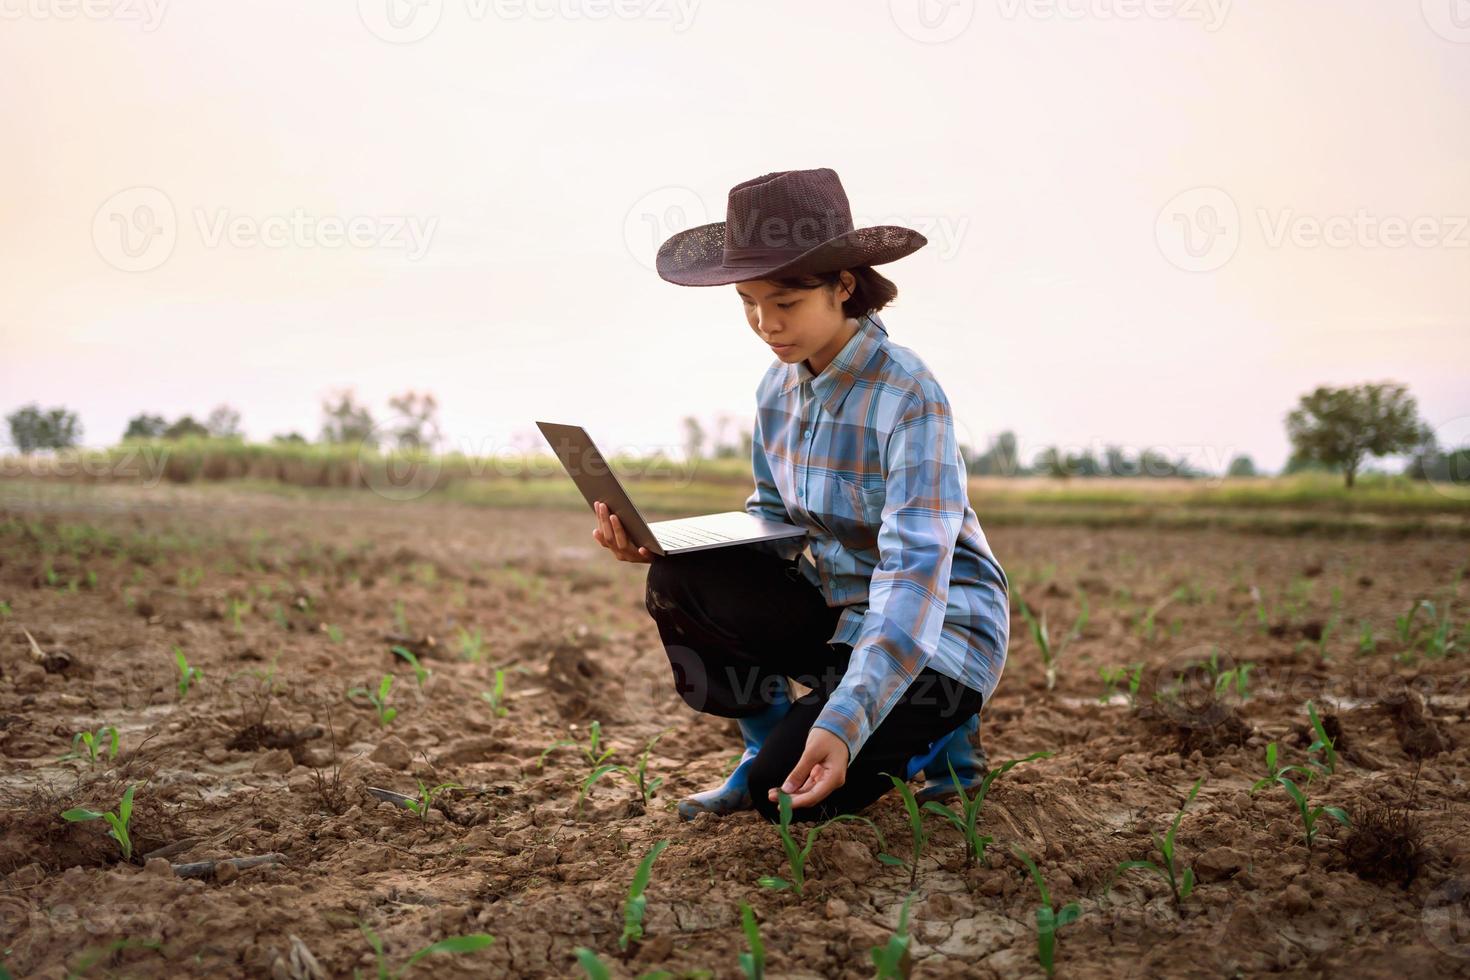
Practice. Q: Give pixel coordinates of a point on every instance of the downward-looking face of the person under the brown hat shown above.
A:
(799, 324)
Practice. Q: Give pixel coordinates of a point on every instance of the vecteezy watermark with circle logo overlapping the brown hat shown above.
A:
(667, 211)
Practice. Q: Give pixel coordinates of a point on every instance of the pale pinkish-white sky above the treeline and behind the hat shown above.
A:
(1152, 223)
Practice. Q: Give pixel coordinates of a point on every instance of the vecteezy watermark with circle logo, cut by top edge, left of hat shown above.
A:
(409, 21)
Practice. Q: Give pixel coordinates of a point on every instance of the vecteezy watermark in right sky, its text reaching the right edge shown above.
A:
(1202, 230)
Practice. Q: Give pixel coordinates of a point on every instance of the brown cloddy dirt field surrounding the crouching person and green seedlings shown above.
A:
(111, 583)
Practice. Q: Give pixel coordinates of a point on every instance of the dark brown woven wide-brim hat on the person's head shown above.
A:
(784, 224)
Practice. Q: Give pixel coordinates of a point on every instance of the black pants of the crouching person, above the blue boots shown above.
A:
(734, 621)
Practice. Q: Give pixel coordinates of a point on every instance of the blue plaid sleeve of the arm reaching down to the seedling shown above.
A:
(922, 518)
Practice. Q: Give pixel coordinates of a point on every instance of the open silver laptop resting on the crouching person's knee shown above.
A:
(586, 465)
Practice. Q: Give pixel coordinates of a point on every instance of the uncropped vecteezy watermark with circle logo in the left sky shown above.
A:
(137, 230)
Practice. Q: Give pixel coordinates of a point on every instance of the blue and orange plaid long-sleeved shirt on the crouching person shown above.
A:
(865, 458)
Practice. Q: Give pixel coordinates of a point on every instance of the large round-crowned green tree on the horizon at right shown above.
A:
(1340, 428)
